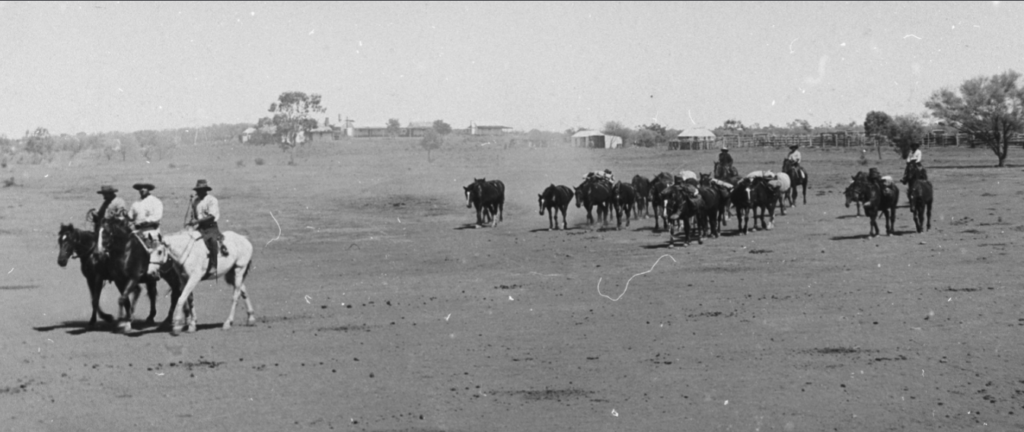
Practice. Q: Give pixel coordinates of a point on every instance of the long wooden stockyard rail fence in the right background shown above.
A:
(827, 140)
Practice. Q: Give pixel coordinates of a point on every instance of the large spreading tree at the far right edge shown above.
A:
(988, 108)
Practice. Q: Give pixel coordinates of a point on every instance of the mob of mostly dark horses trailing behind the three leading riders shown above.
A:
(700, 205)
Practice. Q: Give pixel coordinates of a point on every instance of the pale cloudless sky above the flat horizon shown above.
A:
(126, 67)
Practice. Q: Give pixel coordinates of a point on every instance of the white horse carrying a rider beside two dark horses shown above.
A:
(189, 251)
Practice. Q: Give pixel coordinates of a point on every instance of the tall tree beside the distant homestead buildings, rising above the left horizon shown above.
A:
(293, 117)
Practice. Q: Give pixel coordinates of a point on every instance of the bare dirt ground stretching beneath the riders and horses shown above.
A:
(380, 309)
